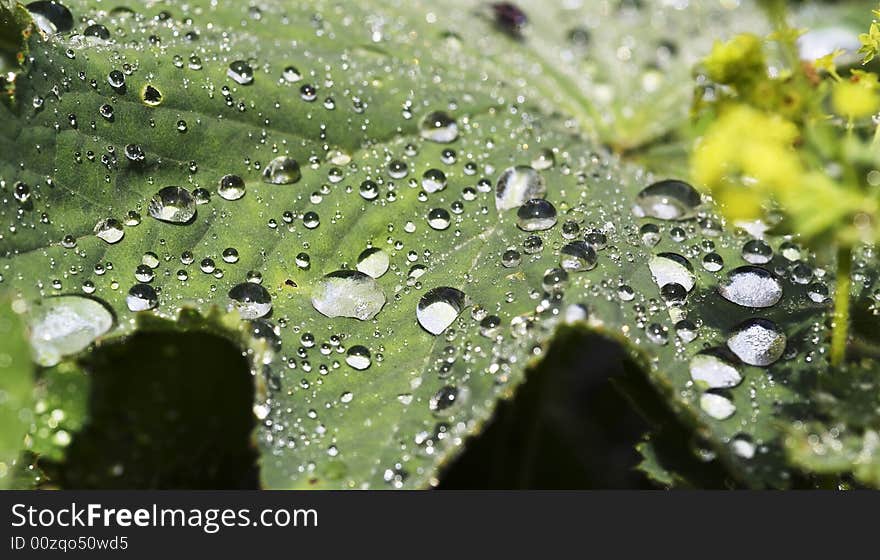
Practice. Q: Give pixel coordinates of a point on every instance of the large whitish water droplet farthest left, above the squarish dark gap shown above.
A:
(65, 325)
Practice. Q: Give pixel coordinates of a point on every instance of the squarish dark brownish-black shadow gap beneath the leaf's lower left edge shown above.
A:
(166, 410)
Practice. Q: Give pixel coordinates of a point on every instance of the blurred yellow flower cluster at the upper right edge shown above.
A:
(770, 142)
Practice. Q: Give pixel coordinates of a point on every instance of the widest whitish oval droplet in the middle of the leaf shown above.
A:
(348, 293)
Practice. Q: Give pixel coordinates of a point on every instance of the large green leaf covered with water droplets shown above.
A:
(326, 420)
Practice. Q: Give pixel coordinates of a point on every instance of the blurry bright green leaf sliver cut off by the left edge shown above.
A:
(16, 390)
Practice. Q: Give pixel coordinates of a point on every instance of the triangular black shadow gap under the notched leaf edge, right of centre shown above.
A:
(568, 427)
